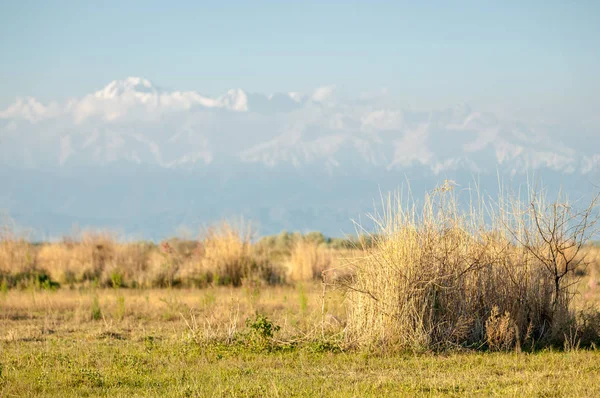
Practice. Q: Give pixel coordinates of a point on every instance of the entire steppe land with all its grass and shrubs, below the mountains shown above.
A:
(435, 301)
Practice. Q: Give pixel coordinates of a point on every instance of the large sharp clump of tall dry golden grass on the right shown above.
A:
(437, 276)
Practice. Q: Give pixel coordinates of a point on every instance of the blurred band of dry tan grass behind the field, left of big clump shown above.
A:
(224, 254)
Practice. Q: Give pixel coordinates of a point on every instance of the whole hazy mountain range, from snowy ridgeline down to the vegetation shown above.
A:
(147, 160)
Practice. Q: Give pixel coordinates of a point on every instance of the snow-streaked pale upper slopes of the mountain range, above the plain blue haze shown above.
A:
(132, 120)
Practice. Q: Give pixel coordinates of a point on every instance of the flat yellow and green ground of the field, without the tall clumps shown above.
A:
(184, 342)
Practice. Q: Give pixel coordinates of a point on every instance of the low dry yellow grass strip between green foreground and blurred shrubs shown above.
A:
(212, 314)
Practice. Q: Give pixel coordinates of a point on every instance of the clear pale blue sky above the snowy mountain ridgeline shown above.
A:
(543, 54)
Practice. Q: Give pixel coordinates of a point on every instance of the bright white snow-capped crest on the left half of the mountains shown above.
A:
(138, 97)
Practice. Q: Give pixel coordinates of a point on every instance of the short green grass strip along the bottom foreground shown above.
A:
(117, 366)
